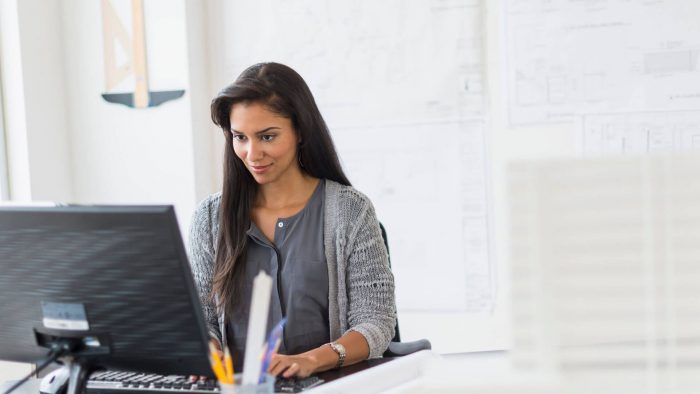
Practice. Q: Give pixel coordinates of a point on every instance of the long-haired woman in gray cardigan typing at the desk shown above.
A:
(287, 208)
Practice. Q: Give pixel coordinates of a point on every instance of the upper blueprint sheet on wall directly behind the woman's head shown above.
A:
(364, 63)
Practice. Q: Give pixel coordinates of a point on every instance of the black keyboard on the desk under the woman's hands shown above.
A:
(118, 382)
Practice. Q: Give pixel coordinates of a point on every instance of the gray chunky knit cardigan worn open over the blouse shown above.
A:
(360, 282)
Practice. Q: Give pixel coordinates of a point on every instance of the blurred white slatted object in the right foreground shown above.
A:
(605, 270)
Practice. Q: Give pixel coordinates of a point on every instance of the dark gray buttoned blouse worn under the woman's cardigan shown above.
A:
(297, 264)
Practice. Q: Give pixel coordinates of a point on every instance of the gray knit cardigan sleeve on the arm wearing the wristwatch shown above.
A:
(370, 285)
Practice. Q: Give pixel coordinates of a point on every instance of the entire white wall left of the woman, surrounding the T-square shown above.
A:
(68, 144)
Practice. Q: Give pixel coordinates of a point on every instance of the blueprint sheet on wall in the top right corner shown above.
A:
(565, 57)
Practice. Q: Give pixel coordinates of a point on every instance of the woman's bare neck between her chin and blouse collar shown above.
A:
(283, 193)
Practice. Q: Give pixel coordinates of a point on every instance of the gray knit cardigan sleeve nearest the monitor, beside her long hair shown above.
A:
(201, 255)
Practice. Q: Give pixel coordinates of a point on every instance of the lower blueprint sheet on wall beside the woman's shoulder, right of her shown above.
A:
(431, 198)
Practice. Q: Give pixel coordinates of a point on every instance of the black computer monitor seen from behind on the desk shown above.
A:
(99, 287)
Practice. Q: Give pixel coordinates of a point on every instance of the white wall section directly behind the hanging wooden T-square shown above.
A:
(121, 154)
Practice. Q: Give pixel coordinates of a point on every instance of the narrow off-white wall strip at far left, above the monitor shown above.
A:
(33, 90)
